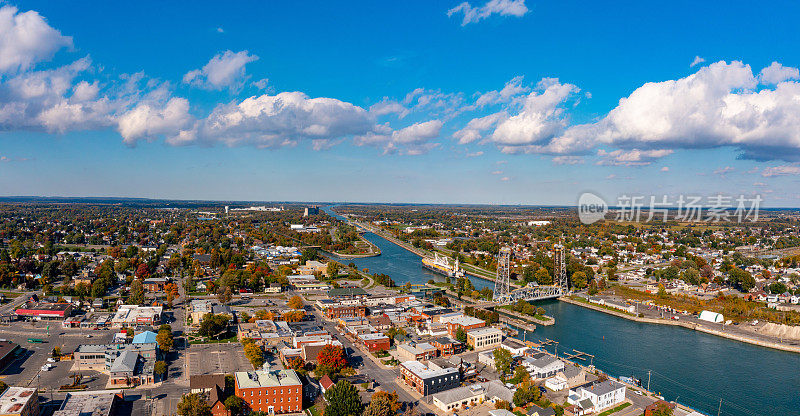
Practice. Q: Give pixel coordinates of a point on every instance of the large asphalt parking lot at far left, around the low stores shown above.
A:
(26, 370)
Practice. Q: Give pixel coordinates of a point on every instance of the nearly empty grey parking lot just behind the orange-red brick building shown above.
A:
(217, 358)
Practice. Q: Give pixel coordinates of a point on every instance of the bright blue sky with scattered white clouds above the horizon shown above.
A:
(506, 101)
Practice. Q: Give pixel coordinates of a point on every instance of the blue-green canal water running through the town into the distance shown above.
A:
(690, 367)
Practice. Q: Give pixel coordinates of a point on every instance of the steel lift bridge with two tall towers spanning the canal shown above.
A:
(532, 292)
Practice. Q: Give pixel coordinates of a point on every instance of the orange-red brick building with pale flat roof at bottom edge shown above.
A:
(269, 391)
